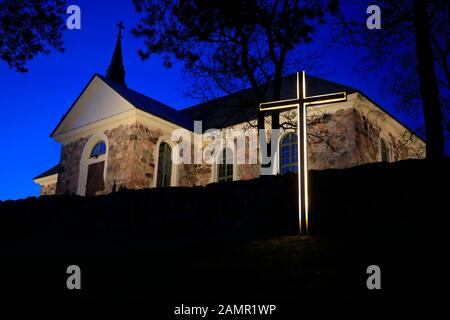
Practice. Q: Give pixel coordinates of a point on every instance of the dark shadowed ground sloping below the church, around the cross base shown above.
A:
(236, 242)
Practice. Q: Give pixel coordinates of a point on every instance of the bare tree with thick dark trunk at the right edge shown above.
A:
(411, 52)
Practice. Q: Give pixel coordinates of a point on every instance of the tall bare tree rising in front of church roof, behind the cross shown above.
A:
(227, 46)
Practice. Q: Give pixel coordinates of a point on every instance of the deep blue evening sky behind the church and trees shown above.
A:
(32, 103)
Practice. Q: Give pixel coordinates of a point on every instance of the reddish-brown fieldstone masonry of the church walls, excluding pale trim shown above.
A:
(341, 139)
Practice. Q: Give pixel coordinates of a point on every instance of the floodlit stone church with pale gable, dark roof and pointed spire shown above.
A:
(113, 137)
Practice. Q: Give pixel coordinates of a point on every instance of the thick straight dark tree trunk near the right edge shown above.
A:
(429, 90)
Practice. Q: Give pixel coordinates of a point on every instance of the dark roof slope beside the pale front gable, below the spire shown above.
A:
(150, 105)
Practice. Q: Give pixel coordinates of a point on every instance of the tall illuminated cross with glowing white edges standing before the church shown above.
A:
(301, 102)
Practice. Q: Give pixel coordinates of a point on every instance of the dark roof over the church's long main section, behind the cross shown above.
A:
(242, 106)
